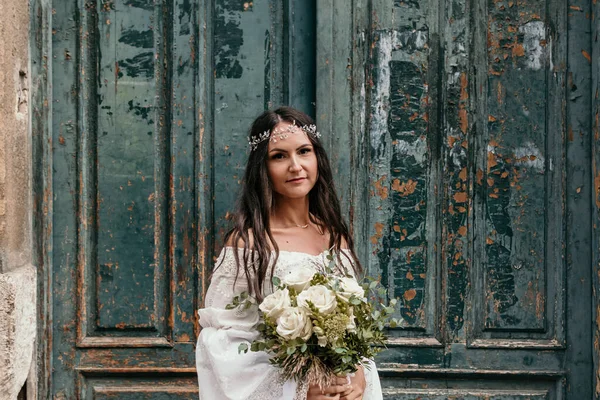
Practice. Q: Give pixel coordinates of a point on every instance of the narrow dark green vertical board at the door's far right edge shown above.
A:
(579, 194)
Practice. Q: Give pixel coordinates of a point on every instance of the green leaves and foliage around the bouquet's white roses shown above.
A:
(334, 343)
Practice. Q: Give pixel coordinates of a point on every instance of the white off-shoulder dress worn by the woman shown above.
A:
(223, 373)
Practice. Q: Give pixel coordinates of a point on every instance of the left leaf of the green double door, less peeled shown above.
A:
(150, 104)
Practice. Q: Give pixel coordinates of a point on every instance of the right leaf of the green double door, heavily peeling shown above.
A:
(467, 125)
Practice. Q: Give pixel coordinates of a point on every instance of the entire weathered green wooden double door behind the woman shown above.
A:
(459, 132)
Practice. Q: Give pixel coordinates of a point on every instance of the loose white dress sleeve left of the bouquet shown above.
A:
(223, 372)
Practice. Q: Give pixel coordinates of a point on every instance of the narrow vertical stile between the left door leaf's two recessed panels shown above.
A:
(182, 245)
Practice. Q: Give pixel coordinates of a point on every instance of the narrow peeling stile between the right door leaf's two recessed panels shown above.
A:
(457, 170)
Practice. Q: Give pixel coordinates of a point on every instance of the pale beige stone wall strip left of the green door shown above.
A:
(17, 274)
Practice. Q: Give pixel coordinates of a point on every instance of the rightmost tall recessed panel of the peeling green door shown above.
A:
(518, 204)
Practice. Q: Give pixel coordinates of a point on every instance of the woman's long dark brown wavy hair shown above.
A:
(251, 220)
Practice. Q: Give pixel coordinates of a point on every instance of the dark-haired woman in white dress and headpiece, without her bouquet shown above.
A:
(288, 215)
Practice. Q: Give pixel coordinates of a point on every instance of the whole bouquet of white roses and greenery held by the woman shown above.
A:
(317, 325)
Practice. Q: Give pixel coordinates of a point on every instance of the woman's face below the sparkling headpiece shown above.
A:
(291, 161)
